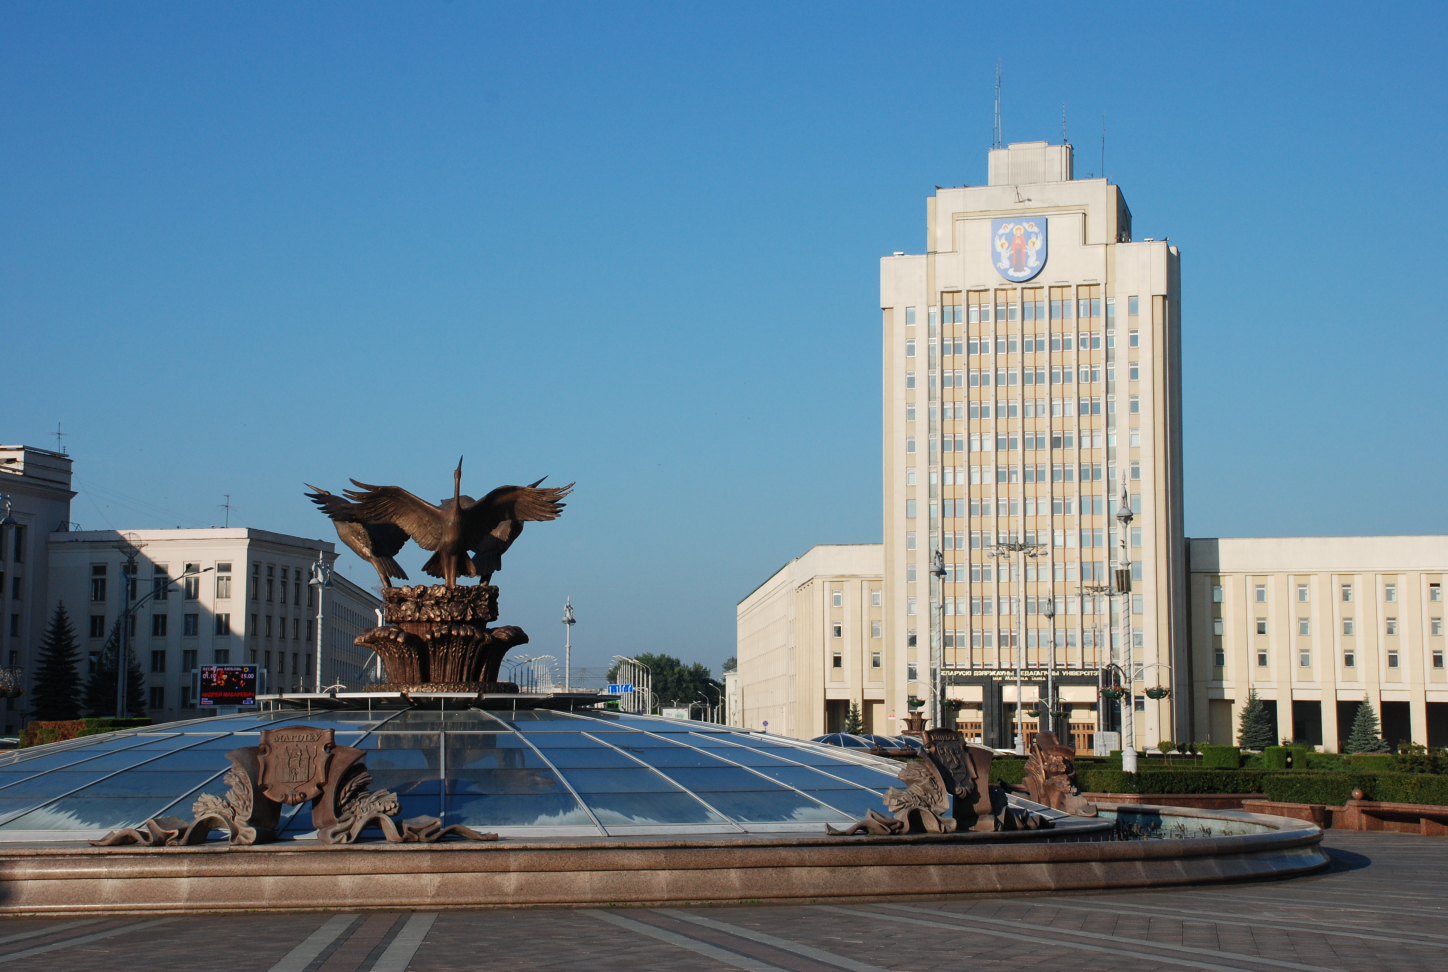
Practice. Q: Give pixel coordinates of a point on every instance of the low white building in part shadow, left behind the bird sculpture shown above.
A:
(241, 596)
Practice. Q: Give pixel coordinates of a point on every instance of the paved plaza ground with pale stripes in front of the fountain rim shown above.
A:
(1381, 908)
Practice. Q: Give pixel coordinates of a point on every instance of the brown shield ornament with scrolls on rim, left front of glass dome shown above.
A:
(290, 767)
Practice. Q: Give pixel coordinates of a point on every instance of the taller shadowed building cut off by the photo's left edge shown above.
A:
(38, 485)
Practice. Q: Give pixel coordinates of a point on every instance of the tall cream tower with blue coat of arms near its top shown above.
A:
(1032, 366)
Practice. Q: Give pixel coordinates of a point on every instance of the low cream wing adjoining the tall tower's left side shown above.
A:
(812, 642)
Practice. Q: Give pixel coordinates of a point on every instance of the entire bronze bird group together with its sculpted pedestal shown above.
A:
(438, 638)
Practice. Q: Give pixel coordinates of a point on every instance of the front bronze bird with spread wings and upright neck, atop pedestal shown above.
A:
(461, 525)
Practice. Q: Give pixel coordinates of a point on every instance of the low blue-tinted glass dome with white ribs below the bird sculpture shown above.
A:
(528, 773)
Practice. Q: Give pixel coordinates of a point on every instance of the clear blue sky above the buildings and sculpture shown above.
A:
(254, 246)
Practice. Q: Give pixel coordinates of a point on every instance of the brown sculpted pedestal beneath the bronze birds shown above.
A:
(438, 640)
